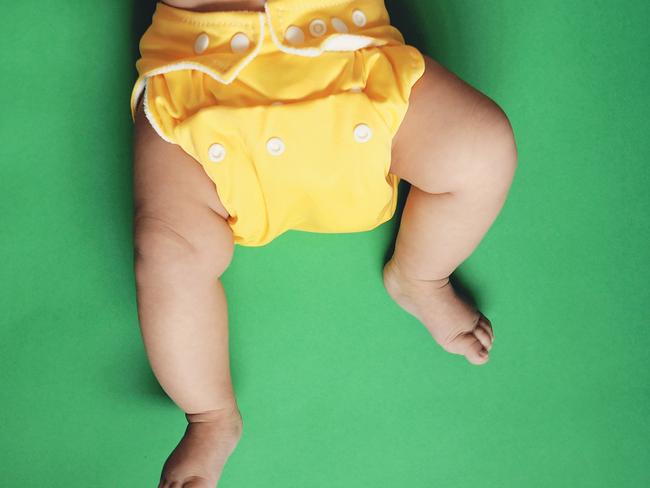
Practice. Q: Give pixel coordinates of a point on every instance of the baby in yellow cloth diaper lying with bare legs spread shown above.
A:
(255, 117)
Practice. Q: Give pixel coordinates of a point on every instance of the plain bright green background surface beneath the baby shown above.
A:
(339, 387)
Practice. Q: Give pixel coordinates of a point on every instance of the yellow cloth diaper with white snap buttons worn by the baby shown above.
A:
(291, 112)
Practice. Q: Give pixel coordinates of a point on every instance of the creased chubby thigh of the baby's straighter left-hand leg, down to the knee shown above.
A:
(178, 215)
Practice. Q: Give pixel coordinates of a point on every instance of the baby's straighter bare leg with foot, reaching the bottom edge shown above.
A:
(182, 247)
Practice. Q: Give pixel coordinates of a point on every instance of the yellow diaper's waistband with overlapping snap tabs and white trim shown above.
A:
(220, 44)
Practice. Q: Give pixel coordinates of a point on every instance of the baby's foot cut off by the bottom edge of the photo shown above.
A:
(199, 458)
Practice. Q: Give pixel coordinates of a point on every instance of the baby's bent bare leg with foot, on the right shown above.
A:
(456, 148)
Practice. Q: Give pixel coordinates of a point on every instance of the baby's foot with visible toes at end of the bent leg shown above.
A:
(457, 326)
